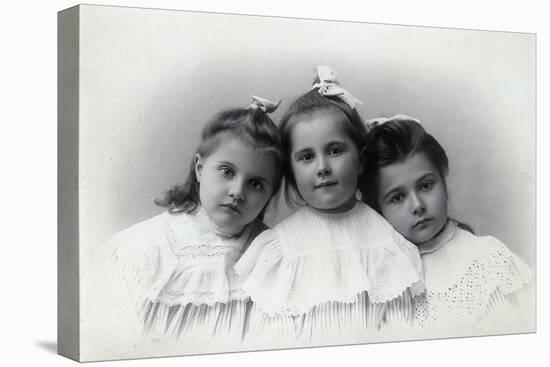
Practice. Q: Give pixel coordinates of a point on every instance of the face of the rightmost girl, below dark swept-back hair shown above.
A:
(413, 198)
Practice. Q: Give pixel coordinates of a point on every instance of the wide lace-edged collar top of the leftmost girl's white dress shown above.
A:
(176, 259)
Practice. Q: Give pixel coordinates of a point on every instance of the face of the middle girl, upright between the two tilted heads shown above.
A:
(324, 161)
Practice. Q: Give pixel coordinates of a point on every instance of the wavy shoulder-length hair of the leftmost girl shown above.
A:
(253, 127)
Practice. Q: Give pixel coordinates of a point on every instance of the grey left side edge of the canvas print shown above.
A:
(68, 276)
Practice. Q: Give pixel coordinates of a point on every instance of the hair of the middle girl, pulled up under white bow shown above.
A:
(310, 103)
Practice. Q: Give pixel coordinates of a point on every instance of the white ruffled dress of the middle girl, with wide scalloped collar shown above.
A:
(316, 278)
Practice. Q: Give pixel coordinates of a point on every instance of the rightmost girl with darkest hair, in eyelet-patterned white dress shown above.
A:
(471, 281)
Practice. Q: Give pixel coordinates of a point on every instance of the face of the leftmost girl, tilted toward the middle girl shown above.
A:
(235, 182)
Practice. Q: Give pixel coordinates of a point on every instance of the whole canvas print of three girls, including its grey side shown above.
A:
(236, 183)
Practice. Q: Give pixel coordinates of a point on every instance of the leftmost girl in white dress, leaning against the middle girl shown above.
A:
(178, 266)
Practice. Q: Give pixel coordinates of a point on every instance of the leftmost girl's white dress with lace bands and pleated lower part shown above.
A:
(179, 270)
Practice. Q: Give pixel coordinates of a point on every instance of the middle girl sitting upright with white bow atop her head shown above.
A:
(333, 266)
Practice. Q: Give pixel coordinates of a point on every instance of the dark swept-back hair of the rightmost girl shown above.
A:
(394, 141)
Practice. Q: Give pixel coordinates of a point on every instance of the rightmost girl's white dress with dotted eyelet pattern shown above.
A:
(471, 286)
